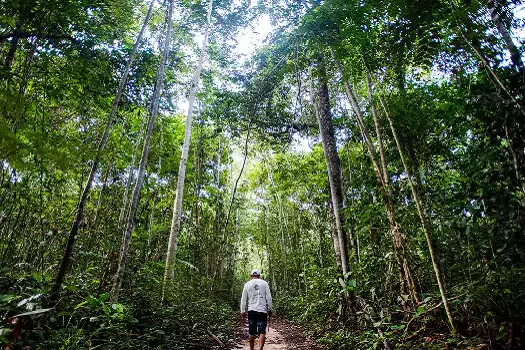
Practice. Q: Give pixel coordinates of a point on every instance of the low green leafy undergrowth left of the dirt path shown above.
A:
(85, 318)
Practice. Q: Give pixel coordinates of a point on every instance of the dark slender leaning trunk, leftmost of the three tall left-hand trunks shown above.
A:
(98, 155)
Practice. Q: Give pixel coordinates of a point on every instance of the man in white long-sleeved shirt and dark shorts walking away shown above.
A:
(257, 293)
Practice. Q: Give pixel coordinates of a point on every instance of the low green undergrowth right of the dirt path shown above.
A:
(483, 322)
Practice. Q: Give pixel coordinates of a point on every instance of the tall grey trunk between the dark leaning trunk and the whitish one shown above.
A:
(117, 283)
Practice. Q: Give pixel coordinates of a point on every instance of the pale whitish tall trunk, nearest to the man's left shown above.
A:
(177, 205)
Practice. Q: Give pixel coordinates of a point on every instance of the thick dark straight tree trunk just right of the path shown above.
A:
(333, 162)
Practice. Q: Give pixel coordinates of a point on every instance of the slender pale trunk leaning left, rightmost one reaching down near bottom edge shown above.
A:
(424, 224)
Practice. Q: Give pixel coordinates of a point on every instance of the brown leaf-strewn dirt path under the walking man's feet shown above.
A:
(280, 336)
